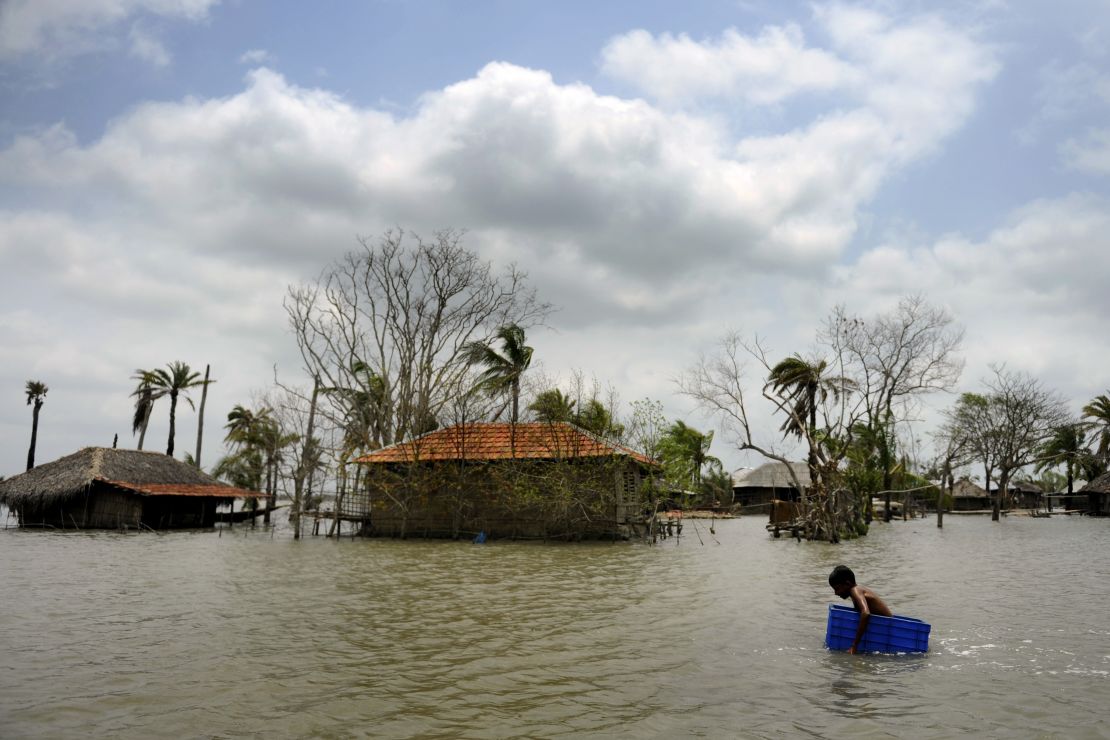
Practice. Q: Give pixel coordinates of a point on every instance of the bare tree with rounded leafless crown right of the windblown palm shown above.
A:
(895, 359)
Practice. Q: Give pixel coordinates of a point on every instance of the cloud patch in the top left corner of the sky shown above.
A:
(54, 29)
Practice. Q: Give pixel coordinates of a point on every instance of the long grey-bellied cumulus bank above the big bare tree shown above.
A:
(618, 184)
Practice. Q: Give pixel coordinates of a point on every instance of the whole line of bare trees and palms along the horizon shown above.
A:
(406, 336)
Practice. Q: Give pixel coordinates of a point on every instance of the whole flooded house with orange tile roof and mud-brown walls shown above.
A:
(534, 480)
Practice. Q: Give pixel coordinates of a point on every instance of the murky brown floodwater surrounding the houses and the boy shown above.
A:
(247, 633)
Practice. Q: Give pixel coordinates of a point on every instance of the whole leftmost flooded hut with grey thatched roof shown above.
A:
(103, 489)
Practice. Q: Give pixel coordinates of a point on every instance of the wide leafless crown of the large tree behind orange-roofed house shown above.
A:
(385, 328)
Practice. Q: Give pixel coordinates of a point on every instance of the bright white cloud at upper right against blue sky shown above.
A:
(916, 78)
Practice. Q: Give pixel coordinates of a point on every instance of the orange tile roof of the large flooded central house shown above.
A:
(534, 441)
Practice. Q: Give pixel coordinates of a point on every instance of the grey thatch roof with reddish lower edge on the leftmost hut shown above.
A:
(142, 473)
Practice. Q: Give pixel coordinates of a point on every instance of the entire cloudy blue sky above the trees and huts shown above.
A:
(664, 173)
